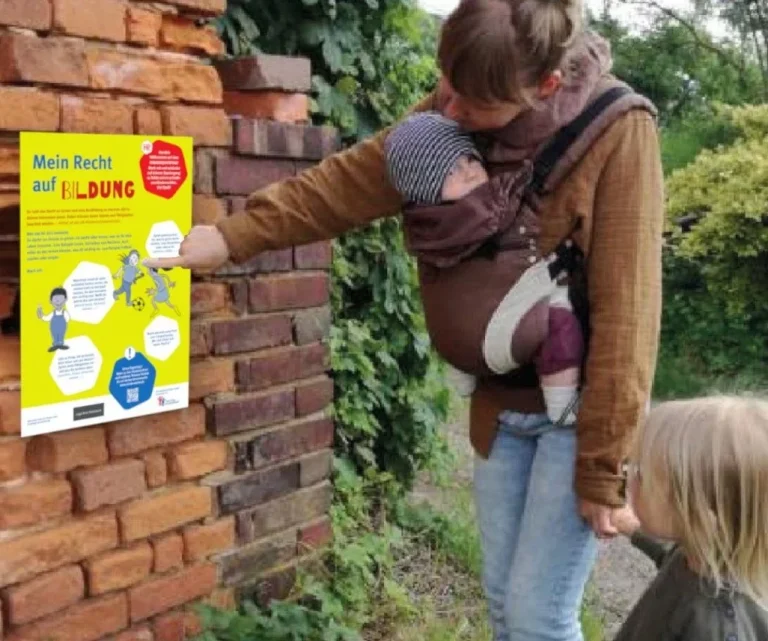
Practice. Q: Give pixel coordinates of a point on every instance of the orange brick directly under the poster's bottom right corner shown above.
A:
(130, 437)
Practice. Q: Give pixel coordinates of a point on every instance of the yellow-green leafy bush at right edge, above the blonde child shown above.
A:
(716, 274)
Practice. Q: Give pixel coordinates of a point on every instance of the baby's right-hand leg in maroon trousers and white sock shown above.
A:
(560, 360)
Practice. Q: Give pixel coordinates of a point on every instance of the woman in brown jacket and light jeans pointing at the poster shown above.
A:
(543, 493)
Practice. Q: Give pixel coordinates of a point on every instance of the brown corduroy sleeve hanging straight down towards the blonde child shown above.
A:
(624, 273)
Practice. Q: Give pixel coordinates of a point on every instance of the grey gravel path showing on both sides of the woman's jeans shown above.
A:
(621, 573)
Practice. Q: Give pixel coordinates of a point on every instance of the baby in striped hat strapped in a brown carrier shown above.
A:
(435, 166)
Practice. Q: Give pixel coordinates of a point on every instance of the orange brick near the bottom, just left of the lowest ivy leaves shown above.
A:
(162, 594)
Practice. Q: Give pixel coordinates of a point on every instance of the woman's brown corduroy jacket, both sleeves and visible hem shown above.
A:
(616, 191)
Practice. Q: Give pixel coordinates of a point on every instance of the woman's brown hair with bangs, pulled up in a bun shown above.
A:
(498, 50)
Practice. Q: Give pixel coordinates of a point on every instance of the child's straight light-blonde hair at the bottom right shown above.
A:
(708, 459)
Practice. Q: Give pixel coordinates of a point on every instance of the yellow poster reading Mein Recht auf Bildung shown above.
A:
(103, 336)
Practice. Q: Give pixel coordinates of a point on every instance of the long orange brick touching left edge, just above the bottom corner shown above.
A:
(44, 595)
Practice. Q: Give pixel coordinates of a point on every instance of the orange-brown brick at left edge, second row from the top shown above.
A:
(51, 60)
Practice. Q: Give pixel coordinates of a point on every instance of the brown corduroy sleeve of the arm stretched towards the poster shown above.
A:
(347, 190)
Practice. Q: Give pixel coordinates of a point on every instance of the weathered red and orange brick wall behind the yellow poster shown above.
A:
(112, 531)
